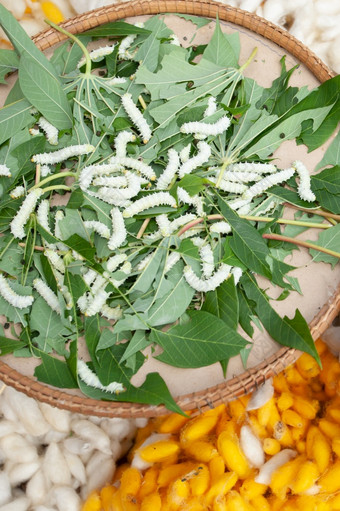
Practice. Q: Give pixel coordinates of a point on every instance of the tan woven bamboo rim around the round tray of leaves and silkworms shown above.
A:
(245, 381)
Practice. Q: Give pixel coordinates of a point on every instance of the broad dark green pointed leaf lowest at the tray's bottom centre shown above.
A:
(203, 341)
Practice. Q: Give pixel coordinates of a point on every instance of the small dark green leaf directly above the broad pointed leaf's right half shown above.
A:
(223, 303)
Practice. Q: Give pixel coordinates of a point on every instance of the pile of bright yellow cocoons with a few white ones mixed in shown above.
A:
(276, 450)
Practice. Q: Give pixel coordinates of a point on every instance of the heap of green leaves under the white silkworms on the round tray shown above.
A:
(171, 88)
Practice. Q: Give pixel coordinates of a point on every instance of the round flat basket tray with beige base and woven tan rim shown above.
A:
(205, 387)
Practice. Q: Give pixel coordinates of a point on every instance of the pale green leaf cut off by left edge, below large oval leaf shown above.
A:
(13, 118)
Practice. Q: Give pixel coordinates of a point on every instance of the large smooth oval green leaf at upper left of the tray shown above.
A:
(42, 88)
